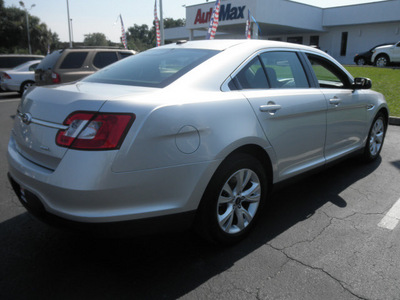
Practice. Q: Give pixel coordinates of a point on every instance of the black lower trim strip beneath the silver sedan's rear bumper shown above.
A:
(169, 223)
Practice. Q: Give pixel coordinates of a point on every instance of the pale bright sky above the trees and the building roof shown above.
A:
(89, 16)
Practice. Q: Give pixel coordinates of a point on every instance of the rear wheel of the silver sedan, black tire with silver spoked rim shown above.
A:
(240, 206)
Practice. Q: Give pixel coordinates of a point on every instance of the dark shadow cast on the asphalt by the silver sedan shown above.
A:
(39, 262)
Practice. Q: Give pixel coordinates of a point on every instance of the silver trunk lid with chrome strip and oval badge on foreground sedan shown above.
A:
(42, 112)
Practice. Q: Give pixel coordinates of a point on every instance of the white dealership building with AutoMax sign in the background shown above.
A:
(340, 31)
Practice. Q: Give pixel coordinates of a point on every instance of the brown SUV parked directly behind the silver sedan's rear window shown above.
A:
(73, 64)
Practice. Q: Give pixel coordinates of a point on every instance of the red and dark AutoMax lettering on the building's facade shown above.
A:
(227, 12)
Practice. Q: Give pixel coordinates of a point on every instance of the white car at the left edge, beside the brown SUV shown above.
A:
(19, 78)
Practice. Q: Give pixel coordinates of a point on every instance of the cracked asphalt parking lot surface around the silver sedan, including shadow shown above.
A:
(324, 237)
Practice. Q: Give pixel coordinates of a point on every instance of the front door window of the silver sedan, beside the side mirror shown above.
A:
(328, 75)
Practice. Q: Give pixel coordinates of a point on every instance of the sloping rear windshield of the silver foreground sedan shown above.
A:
(154, 68)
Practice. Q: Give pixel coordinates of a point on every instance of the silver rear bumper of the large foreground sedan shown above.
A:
(88, 192)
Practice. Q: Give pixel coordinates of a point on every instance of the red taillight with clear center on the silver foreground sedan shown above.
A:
(94, 131)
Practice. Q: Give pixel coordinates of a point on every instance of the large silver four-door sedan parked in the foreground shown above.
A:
(189, 133)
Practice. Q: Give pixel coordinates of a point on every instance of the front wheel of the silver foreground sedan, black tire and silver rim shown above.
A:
(376, 137)
